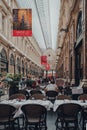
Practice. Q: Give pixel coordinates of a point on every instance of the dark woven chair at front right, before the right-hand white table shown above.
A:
(67, 116)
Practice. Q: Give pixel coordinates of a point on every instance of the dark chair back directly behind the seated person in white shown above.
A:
(51, 95)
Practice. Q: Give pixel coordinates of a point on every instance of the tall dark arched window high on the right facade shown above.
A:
(79, 25)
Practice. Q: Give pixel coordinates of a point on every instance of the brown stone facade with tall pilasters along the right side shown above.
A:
(72, 39)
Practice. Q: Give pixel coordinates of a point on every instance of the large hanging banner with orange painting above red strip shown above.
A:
(22, 22)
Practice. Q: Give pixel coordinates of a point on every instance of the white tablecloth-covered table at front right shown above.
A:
(57, 103)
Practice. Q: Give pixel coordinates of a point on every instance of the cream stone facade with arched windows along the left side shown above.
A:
(17, 54)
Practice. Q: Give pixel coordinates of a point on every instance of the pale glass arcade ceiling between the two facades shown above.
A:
(45, 14)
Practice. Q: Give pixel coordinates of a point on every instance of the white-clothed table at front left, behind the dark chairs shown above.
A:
(18, 104)
